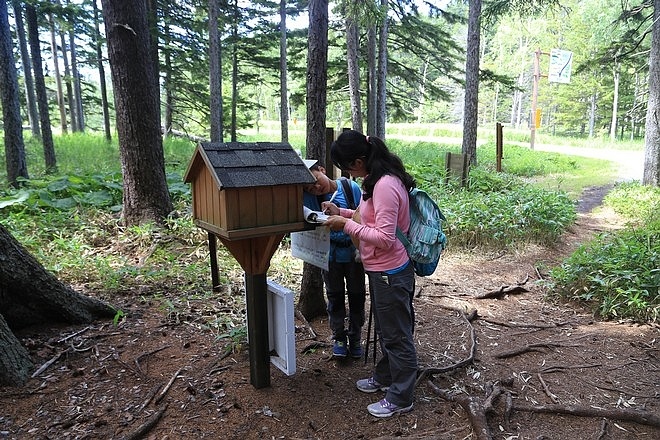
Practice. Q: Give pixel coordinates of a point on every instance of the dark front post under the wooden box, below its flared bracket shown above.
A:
(257, 317)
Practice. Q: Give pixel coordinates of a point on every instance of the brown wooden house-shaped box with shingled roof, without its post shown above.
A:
(243, 190)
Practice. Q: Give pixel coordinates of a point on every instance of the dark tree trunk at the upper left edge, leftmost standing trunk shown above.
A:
(11, 109)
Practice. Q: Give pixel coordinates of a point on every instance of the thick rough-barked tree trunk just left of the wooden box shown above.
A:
(146, 195)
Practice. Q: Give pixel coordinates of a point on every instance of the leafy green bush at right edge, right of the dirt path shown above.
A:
(618, 273)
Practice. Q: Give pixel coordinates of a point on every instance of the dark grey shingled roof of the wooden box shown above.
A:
(249, 164)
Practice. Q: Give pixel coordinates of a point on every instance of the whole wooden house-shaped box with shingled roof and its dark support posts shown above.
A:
(249, 195)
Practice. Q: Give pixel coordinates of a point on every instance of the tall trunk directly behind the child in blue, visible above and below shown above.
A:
(312, 303)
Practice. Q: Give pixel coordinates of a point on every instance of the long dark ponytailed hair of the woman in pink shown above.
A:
(352, 145)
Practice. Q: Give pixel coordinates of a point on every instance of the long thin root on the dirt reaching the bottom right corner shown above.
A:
(641, 417)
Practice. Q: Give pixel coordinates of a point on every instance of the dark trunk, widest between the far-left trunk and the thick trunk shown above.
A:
(40, 86)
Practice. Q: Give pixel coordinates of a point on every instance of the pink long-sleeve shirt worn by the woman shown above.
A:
(380, 249)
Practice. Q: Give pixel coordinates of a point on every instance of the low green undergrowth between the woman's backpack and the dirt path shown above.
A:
(496, 209)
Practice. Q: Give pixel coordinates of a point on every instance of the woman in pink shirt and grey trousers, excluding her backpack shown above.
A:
(383, 208)
